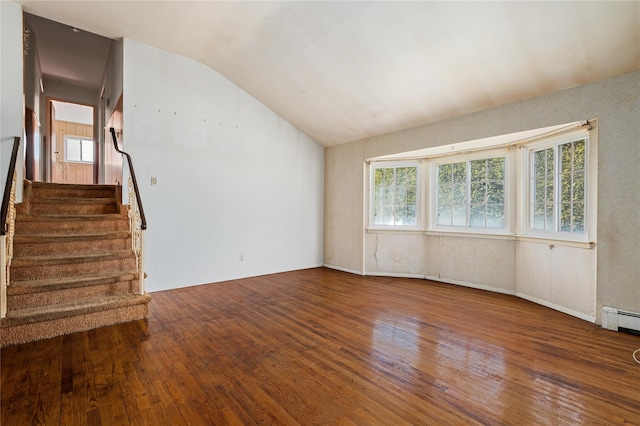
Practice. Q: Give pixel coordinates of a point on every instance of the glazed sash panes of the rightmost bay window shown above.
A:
(558, 183)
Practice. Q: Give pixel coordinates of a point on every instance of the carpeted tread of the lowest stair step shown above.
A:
(80, 307)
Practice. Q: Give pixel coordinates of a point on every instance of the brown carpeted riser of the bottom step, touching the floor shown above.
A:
(25, 332)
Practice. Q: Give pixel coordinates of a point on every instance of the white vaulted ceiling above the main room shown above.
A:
(345, 70)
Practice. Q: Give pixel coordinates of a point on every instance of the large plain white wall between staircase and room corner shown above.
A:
(233, 177)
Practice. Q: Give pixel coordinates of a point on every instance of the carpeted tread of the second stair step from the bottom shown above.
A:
(35, 286)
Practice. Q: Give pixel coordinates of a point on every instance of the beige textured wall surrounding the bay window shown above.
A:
(578, 280)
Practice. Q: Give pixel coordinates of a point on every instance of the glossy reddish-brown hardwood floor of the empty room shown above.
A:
(325, 347)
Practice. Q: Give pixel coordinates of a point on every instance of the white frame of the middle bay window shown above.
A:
(489, 153)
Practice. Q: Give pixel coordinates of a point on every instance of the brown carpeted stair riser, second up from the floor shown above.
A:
(54, 297)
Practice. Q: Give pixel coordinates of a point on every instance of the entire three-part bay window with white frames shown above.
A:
(536, 184)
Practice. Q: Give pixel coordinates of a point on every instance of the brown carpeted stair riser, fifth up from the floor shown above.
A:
(75, 227)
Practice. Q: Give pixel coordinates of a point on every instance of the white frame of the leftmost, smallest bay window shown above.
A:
(418, 164)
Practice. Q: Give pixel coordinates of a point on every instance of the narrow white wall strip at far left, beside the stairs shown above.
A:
(11, 97)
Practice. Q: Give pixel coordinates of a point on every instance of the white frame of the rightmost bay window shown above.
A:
(529, 184)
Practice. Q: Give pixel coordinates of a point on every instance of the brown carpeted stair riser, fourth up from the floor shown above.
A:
(70, 247)
